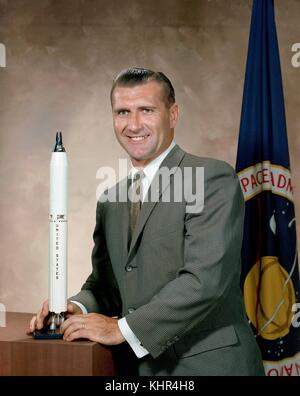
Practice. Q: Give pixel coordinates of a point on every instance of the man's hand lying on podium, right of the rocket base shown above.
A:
(95, 327)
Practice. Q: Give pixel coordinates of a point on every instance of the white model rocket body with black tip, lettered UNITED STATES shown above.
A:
(58, 229)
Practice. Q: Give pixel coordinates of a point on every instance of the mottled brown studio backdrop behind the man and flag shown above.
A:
(61, 57)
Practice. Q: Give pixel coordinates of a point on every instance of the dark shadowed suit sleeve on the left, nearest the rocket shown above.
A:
(100, 292)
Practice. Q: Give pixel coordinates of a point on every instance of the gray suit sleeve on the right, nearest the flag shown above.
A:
(211, 265)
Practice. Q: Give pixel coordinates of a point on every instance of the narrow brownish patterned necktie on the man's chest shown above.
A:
(136, 200)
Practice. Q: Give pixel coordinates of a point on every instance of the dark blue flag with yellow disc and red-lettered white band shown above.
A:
(270, 276)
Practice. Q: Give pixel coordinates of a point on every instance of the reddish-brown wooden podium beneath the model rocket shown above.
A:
(22, 355)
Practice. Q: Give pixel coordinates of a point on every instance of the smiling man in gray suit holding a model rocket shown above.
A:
(172, 278)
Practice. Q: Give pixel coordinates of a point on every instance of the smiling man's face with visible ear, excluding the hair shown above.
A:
(143, 123)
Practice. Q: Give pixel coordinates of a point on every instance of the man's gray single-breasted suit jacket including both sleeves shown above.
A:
(178, 283)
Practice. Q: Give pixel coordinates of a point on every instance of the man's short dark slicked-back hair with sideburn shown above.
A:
(137, 76)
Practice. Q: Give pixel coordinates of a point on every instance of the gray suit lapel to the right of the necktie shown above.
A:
(171, 162)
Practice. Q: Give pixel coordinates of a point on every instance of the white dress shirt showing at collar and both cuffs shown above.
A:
(149, 171)
